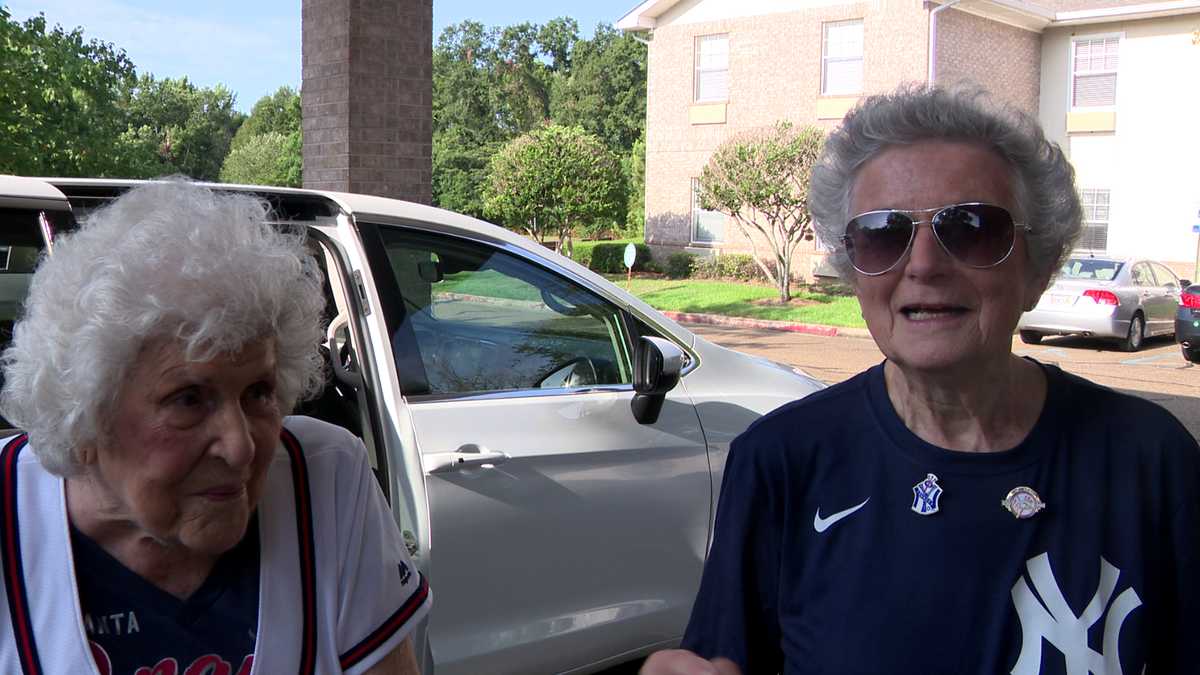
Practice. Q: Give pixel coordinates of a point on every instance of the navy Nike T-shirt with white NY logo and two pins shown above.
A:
(847, 545)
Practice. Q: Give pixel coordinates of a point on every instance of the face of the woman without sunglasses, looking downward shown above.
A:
(190, 444)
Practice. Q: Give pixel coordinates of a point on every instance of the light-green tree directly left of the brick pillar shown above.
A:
(267, 150)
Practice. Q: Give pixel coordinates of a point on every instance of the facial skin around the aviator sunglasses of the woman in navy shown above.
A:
(932, 313)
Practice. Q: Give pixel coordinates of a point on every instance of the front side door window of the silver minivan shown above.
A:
(489, 321)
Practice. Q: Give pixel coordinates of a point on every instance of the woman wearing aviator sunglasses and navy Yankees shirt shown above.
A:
(957, 509)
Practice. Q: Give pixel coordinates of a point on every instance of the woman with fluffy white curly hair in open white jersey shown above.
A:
(160, 512)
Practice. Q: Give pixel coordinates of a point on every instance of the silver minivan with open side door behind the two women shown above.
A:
(551, 446)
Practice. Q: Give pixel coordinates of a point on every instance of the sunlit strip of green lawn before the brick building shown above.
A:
(739, 300)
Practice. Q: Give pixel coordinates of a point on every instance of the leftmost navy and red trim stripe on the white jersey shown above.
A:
(14, 571)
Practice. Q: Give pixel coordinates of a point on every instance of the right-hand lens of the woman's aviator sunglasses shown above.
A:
(976, 235)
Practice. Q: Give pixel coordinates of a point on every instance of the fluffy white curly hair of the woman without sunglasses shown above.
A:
(166, 260)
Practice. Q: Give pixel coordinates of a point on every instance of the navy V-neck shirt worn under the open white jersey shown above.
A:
(137, 629)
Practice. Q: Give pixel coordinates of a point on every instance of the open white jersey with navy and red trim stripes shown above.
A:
(337, 588)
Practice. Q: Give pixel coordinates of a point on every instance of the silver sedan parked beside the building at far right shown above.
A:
(1103, 297)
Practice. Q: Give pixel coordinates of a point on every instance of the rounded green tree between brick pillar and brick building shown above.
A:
(554, 182)
